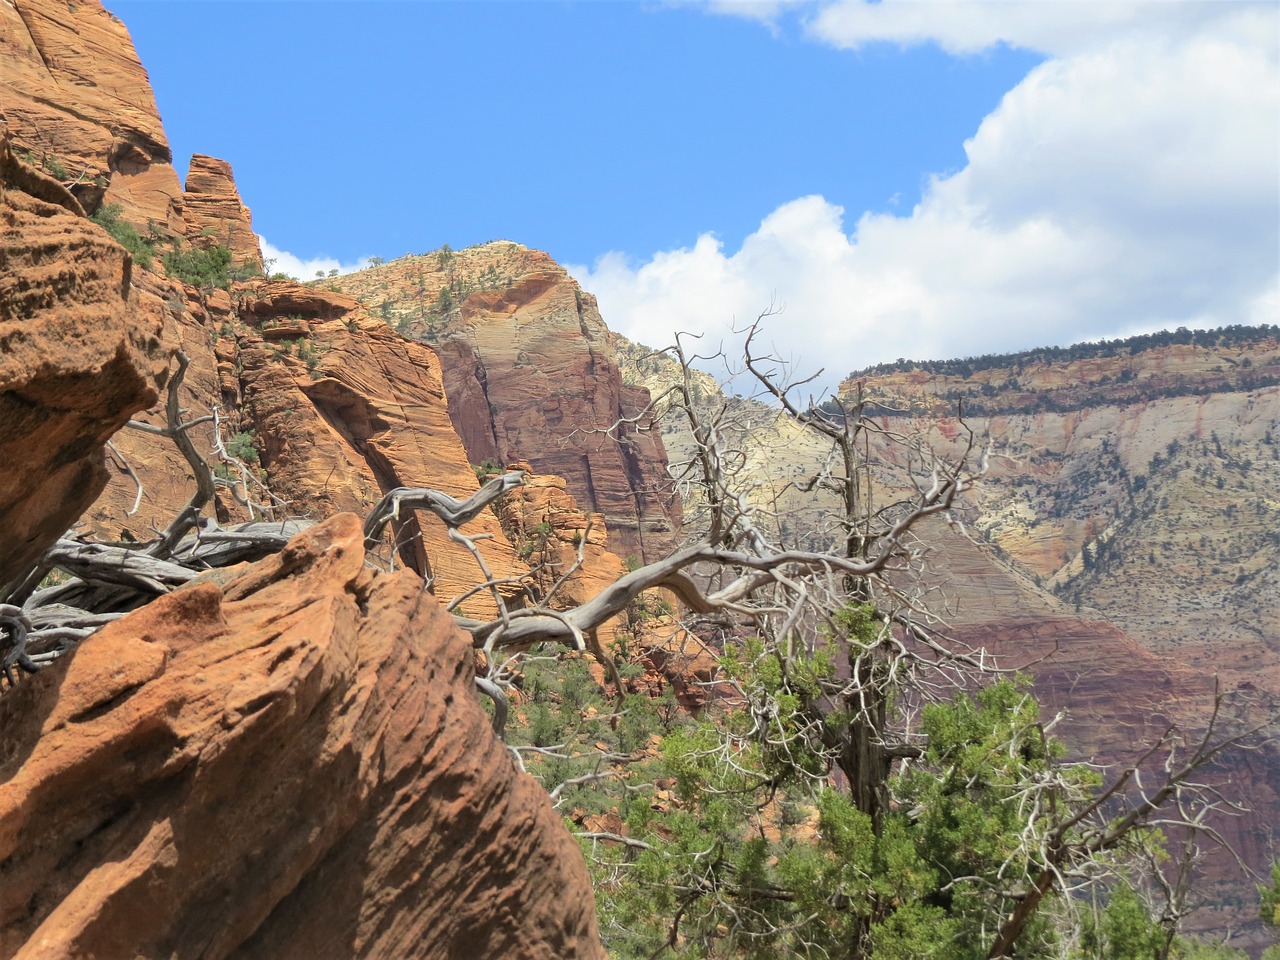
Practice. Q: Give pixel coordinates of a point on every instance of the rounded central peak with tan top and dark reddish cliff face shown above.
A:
(532, 374)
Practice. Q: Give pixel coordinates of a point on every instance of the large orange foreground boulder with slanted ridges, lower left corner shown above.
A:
(294, 766)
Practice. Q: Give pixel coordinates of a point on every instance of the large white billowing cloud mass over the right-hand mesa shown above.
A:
(1130, 182)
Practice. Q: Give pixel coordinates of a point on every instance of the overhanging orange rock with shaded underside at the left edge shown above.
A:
(80, 353)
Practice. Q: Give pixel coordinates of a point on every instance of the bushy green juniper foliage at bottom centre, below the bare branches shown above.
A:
(752, 851)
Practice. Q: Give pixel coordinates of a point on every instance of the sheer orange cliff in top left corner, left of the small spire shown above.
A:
(76, 98)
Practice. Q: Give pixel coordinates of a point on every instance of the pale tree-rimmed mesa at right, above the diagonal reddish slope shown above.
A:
(1149, 476)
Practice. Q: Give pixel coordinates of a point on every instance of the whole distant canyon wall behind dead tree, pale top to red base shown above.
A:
(1162, 465)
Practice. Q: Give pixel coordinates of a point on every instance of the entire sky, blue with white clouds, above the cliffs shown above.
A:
(904, 179)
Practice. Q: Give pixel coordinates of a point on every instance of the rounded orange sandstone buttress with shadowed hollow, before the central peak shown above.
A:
(344, 410)
